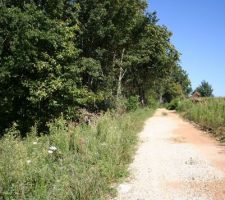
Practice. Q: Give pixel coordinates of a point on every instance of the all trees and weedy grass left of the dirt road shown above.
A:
(62, 62)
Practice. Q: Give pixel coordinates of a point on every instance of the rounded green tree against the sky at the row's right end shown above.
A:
(155, 64)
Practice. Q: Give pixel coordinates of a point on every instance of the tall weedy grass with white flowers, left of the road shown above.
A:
(71, 163)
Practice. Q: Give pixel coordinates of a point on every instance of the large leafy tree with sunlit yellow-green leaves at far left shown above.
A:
(41, 77)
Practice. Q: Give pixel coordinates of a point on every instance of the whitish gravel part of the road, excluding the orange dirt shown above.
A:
(166, 170)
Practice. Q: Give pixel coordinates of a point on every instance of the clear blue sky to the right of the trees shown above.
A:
(198, 28)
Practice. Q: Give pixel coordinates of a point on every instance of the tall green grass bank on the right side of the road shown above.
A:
(209, 113)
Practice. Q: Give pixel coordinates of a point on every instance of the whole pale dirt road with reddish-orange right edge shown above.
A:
(175, 161)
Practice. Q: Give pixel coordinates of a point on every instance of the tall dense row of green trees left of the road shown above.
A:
(57, 57)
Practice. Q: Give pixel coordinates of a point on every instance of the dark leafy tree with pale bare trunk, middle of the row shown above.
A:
(107, 30)
